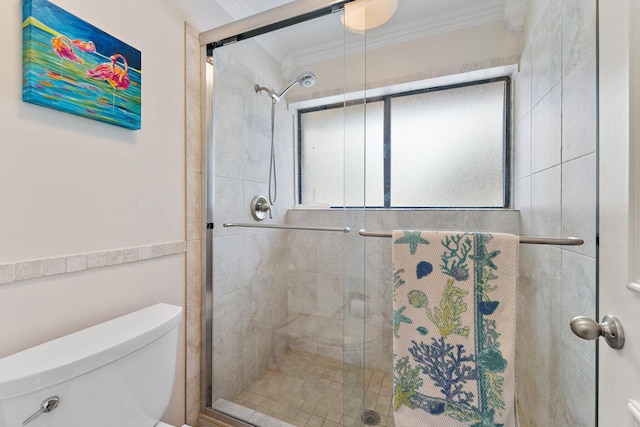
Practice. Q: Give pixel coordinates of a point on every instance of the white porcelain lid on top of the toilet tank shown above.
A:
(72, 355)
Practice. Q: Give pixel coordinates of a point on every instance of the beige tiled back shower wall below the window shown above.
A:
(331, 270)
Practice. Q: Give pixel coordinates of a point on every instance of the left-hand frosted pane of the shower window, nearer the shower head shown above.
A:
(342, 139)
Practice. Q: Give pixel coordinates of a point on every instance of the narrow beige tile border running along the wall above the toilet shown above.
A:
(67, 264)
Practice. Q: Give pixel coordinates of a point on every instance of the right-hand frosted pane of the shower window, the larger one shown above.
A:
(447, 147)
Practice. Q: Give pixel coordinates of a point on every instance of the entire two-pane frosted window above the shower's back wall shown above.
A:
(441, 147)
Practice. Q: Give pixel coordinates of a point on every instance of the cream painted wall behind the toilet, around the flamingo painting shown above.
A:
(71, 185)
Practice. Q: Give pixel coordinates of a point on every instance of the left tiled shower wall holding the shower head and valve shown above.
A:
(249, 273)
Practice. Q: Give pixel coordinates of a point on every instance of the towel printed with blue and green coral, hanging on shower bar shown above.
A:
(454, 328)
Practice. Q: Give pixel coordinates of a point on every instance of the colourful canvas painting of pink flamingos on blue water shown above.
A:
(72, 66)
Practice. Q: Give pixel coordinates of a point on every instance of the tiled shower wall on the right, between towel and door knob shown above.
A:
(555, 189)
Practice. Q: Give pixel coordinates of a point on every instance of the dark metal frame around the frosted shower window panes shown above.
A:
(386, 100)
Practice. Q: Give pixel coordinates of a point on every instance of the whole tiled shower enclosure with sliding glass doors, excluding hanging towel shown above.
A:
(301, 321)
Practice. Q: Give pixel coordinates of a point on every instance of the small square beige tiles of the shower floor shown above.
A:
(308, 390)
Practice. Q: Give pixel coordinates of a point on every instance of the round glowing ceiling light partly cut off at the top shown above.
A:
(363, 15)
